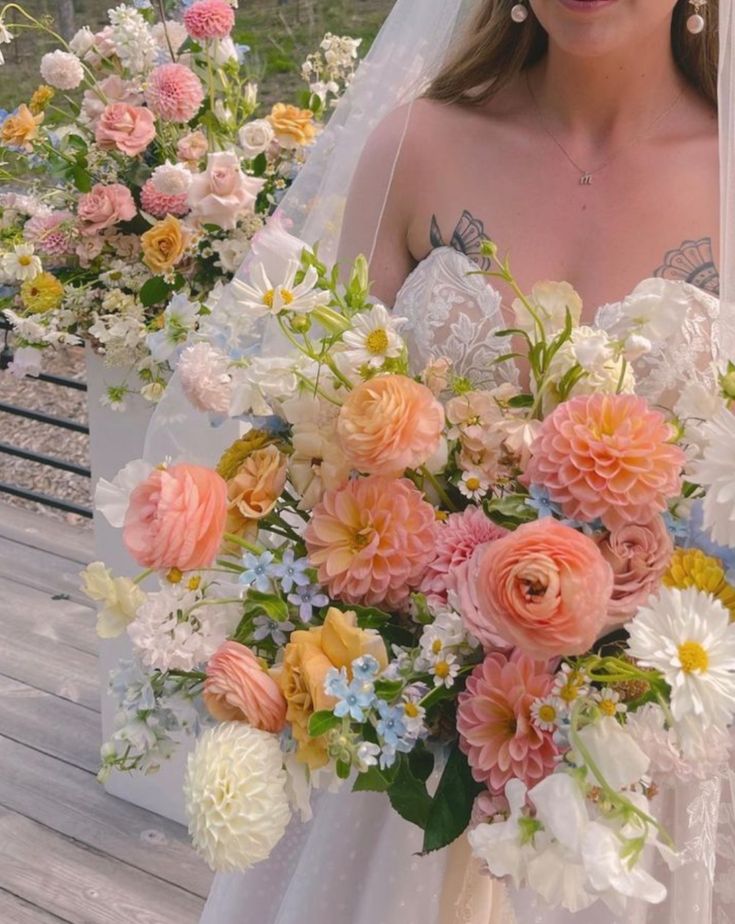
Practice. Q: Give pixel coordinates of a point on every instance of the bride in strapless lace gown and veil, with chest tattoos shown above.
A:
(582, 137)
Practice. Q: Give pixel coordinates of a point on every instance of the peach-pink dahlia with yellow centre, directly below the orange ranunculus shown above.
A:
(371, 540)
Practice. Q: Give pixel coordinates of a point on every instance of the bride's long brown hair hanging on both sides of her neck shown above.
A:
(494, 50)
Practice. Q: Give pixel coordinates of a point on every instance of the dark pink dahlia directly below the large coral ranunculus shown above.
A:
(494, 721)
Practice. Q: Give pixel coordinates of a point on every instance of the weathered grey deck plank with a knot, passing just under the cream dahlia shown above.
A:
(72, 802)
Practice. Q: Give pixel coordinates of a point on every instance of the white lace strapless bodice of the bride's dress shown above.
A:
(454, 313)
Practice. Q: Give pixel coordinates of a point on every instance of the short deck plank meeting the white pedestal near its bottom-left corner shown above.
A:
(46, 723)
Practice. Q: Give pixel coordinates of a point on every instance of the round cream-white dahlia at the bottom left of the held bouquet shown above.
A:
(236, 802)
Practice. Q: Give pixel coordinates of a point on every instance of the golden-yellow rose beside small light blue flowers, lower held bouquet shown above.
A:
(308, 657)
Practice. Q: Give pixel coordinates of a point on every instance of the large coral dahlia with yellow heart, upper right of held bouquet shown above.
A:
(607, 457)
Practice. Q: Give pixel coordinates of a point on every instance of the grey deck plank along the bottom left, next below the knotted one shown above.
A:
(82, 886)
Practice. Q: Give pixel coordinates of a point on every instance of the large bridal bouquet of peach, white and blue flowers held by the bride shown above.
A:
(416, 583)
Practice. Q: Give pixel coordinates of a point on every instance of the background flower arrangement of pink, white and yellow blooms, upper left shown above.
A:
(136, 176)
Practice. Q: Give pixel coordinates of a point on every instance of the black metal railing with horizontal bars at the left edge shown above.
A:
(6, 356)
